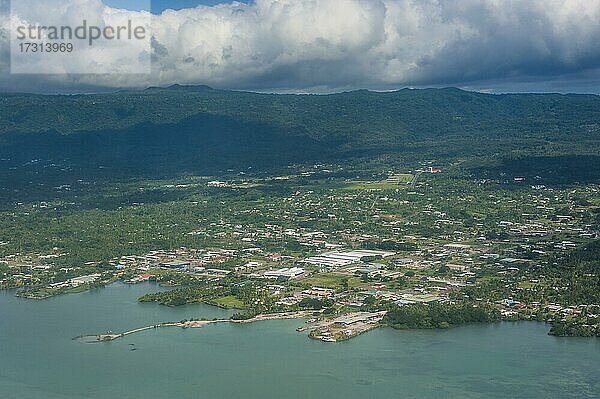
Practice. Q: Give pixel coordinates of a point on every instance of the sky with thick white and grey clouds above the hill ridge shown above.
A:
(337, 45)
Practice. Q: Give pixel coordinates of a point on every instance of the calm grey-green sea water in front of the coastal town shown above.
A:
(38, 358)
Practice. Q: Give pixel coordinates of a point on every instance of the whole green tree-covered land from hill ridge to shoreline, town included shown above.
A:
(244, 183)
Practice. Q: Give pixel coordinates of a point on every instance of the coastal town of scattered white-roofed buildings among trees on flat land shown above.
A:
(355, 253)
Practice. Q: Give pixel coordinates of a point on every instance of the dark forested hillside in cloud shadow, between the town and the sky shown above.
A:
(178, 130)
